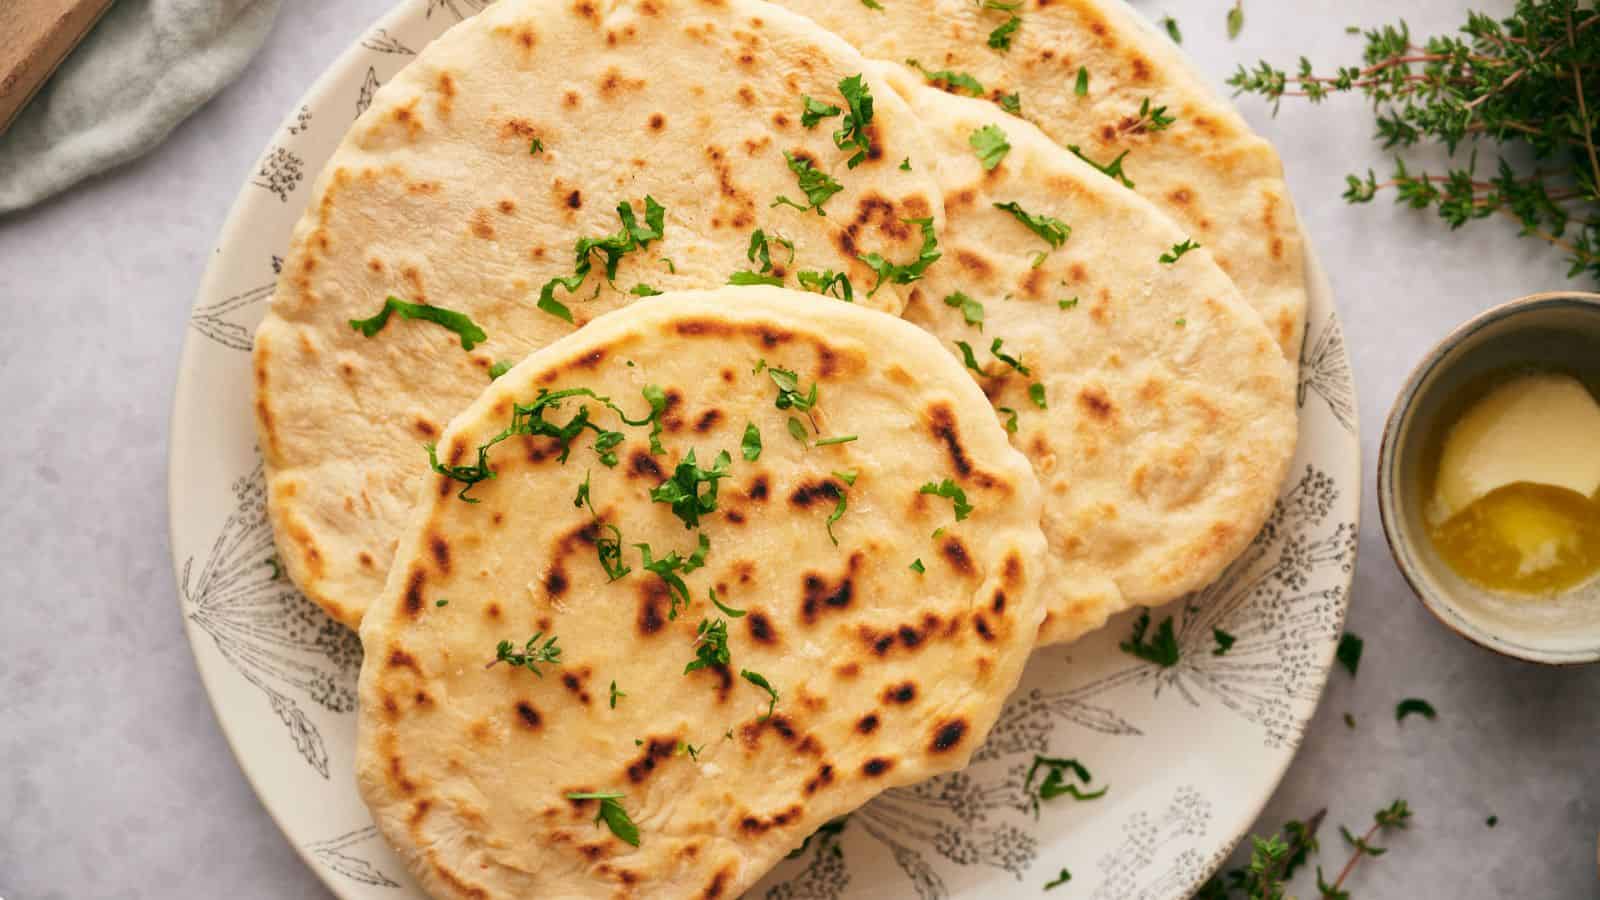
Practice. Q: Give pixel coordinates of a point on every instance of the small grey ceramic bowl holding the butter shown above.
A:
(1559, 331)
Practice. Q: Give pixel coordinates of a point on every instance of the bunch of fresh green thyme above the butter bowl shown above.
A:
(1524, 89)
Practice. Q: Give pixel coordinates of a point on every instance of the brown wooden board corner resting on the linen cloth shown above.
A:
(36, 36)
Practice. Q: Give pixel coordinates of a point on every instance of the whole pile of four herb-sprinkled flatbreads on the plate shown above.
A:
(705, 408)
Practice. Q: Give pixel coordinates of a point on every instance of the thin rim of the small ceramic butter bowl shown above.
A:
(1388, 496)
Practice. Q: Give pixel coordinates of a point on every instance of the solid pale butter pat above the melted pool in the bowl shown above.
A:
(1535, 428)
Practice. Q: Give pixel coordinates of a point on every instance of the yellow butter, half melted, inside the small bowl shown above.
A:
(1516, 504)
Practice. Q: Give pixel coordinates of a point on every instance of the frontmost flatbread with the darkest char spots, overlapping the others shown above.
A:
(884, 675)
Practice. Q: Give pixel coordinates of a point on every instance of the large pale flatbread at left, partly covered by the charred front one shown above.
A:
(438, 198)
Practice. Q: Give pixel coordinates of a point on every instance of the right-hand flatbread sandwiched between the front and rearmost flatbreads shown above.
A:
(1170, 419)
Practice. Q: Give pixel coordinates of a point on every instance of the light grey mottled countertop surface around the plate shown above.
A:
(116, 781)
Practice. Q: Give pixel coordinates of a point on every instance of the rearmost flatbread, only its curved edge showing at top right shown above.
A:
(1217, 179)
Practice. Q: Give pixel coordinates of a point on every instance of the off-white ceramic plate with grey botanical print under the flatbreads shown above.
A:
(1191, 753)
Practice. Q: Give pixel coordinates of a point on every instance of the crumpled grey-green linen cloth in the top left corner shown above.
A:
(145, 68)
